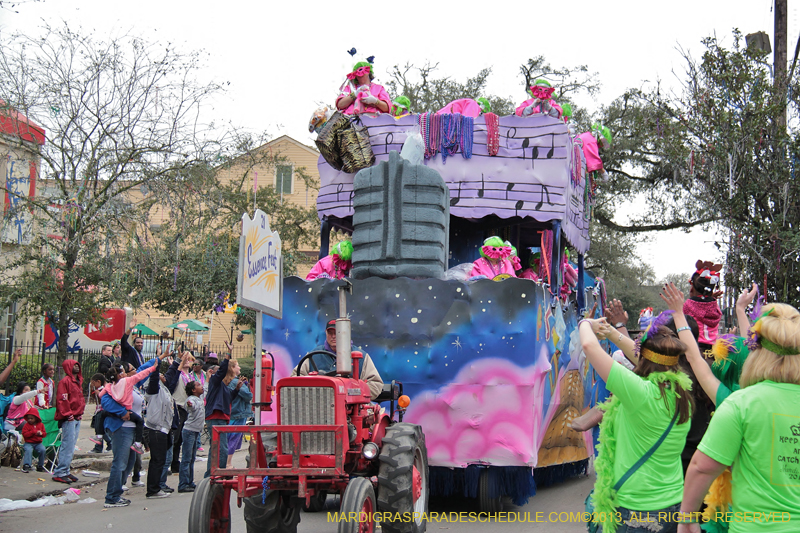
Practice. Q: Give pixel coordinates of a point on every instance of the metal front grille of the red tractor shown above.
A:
(308, 406)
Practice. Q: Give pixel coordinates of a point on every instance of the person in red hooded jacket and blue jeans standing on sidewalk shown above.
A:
(69, 410)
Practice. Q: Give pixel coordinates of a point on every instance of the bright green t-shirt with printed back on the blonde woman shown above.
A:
(757, 430)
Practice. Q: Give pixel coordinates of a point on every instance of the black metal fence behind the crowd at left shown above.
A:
(35, 356)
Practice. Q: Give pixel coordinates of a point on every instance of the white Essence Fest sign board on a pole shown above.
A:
(260, 283)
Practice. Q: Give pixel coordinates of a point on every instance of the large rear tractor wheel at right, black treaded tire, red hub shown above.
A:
(403, 449)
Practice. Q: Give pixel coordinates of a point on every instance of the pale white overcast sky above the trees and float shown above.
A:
(284, 59)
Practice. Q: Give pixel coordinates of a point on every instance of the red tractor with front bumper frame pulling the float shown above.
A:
(330, 438)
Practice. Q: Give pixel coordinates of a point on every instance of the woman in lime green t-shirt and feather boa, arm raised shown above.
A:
(642, 408)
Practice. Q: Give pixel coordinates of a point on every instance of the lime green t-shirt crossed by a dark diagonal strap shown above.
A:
(641, 420)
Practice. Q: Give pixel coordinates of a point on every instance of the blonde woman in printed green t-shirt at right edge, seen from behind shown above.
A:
(756, 431)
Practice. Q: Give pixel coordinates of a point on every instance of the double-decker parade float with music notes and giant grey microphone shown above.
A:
(493, 367)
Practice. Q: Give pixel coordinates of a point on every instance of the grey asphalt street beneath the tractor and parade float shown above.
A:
(171, 514)
